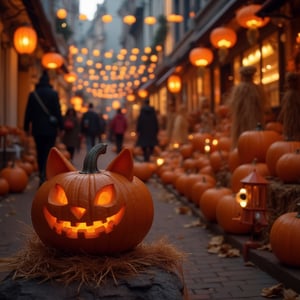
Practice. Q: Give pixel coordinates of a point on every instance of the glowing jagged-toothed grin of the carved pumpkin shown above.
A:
(81, 229)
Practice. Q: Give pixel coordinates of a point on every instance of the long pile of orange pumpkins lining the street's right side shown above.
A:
(195, 174)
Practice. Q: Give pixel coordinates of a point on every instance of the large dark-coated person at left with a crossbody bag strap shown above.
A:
(37, 124)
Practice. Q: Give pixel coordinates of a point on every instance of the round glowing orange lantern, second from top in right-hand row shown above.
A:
(223, 38)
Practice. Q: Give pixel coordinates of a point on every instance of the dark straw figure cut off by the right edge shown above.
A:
(290, 111)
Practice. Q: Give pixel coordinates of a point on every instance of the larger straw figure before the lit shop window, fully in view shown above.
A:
(247, 104)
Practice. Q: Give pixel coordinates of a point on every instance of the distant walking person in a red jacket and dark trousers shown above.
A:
(118, 127)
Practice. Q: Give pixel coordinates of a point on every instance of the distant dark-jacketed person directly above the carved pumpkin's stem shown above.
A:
(90, 127)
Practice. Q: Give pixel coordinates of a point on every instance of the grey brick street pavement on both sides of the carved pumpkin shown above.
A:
(207, 276)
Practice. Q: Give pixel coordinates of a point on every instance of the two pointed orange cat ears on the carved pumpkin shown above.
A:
(57, 163)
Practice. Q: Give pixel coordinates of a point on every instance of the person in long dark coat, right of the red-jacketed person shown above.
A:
(147, 130)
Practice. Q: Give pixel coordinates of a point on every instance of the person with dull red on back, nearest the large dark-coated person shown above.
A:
(71, 131)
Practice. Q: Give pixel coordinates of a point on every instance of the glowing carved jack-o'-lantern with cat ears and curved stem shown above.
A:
(92, 211)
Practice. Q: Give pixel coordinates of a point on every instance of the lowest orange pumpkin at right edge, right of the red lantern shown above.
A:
(284, 238)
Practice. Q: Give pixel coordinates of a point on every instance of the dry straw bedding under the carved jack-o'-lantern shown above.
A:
(39, 261)
